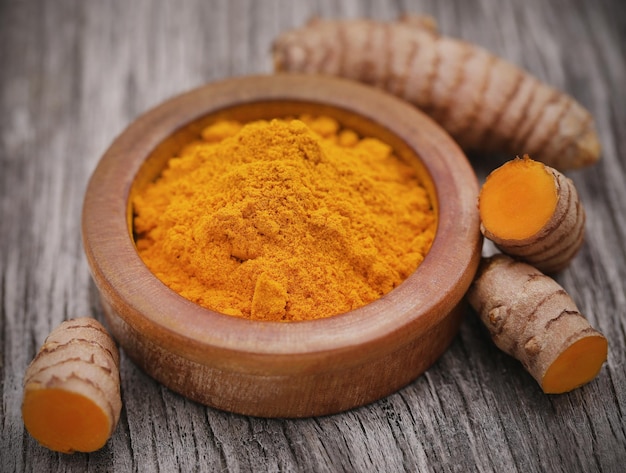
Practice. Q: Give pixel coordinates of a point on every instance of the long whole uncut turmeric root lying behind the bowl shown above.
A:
(486, 103)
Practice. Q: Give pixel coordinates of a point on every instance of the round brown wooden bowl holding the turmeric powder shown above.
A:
(274, 369)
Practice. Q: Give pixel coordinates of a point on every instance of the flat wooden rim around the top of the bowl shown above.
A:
(145, 303)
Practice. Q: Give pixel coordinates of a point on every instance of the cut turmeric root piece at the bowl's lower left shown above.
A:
(72, 396)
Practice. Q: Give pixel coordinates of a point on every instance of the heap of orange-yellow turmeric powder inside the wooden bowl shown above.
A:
(284, 220)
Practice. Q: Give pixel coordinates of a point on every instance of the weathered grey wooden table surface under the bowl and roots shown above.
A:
(74, 73)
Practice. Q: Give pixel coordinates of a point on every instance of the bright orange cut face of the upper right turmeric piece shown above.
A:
(518, 199)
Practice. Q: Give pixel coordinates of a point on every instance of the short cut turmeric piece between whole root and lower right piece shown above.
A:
(532, 211)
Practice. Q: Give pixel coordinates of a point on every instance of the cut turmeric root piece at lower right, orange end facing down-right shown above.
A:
(532, 318)
